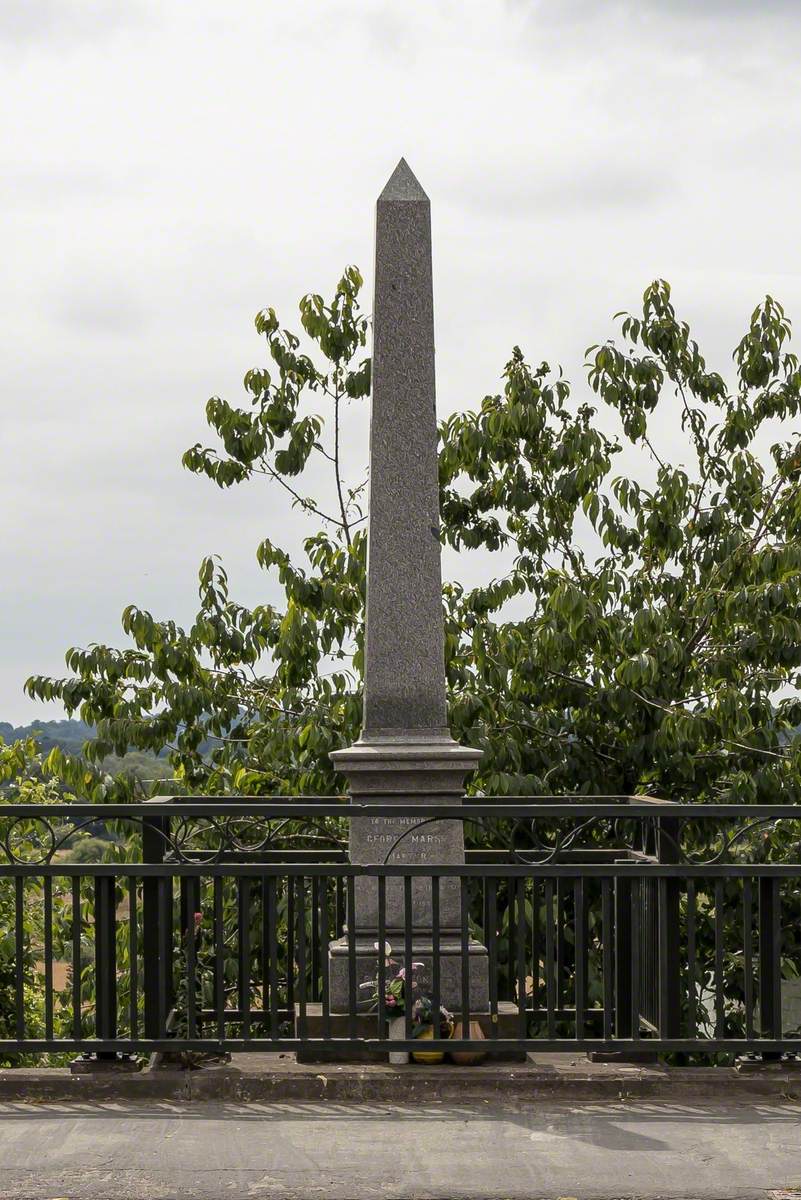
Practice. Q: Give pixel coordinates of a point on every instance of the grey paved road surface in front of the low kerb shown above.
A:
(360, 1153)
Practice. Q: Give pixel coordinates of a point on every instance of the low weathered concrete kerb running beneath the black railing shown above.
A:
(280, 1078)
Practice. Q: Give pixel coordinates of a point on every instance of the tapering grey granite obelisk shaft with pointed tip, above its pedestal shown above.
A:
(405, 675)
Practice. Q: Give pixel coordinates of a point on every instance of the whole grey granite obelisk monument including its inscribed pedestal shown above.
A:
(406, 752)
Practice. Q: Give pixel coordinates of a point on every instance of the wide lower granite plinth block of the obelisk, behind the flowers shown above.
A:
(423, 951)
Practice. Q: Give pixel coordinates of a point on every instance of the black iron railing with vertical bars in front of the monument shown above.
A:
(613, 925)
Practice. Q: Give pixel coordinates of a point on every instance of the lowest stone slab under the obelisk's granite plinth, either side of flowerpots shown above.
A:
(508, 1027)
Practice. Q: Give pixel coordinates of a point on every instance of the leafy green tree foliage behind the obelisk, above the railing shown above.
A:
(655, 639)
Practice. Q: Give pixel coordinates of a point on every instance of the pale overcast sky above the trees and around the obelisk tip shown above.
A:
(172, 167)
